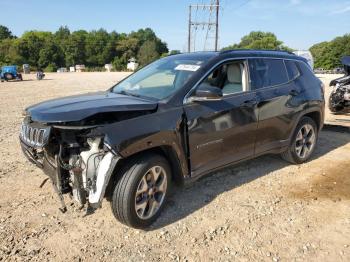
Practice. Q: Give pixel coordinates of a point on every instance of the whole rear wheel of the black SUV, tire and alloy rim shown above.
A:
(303, 142)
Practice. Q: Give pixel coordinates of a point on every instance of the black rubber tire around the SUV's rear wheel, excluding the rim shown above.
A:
(291, 155)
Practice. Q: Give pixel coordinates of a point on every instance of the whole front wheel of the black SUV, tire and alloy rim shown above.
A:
(141, 191)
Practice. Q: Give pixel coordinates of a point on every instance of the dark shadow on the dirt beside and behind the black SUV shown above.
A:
(185, 201)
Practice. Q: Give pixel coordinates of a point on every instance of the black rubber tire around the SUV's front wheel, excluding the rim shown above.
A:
(124, 196)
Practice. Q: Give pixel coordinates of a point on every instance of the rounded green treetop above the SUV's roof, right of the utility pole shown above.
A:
(259, 40)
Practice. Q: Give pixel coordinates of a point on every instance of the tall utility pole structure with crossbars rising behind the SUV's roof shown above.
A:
(194, 25)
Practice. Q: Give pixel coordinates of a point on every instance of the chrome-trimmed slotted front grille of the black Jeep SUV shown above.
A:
(34, 136)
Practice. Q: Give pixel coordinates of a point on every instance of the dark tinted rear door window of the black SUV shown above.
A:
(265, 72)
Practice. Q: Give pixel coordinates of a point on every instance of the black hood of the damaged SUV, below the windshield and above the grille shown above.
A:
(79, 107)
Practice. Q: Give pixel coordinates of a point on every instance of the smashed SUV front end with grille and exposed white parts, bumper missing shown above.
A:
(77, 160)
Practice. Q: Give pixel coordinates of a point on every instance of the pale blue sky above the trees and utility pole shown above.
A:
(298, 23)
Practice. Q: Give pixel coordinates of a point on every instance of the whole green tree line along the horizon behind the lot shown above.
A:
(96, 48)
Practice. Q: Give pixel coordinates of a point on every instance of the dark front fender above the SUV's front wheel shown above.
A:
(163, 128)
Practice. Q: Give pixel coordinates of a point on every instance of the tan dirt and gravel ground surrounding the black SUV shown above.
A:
(261, 210)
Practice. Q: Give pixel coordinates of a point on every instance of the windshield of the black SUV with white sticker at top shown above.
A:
(160, 79)
